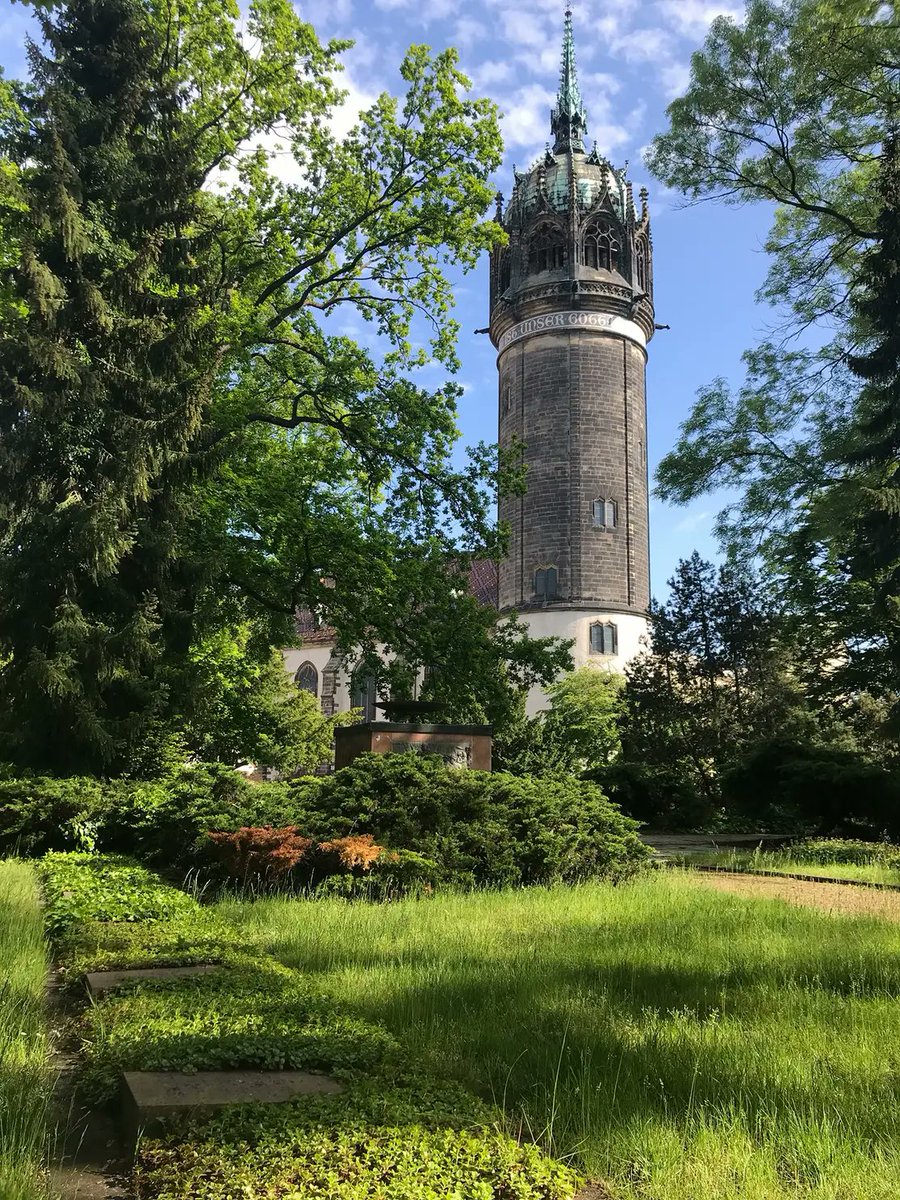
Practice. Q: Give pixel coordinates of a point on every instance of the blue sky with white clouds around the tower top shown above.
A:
(633, 61)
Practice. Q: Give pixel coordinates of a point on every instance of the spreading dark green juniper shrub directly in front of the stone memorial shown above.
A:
(479, 829)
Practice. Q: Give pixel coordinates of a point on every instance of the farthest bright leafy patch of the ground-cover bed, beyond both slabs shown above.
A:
(104, 887)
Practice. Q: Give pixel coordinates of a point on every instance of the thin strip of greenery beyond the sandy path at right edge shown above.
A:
(867, 862)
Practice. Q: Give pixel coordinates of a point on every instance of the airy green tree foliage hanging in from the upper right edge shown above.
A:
(796, 107)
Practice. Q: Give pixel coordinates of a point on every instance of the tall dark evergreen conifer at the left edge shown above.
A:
(105, 379)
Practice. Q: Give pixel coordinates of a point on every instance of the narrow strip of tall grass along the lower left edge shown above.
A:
(25, 1077)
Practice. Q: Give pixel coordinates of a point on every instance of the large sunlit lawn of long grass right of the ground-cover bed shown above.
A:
(677, 1043)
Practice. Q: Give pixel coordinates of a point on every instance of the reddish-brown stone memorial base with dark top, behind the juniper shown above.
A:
(459, 746)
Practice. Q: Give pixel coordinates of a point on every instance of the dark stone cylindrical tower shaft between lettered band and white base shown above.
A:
(577, 401)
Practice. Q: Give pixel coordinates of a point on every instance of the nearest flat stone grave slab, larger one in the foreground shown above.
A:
(149, 1097)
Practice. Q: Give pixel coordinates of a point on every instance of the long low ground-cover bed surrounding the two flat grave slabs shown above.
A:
(397, 1132)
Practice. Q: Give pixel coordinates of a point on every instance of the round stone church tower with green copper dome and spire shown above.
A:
(572, 315)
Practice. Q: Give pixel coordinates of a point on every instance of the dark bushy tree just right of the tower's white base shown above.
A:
(712, 686)
